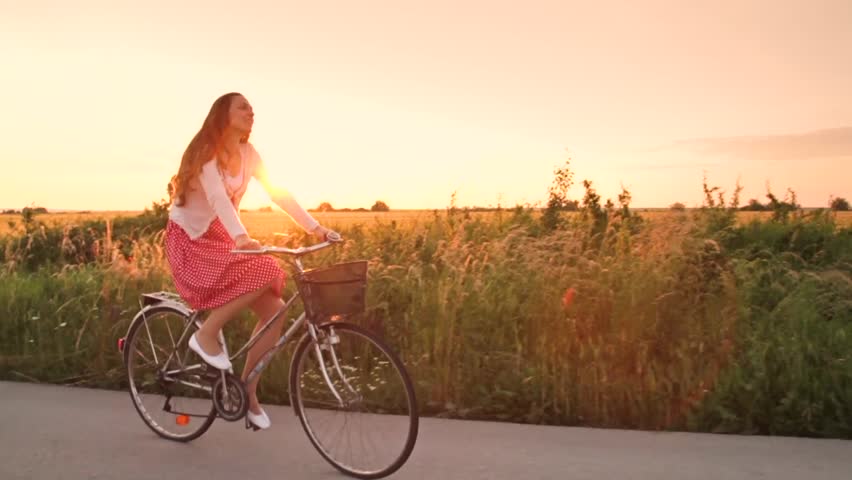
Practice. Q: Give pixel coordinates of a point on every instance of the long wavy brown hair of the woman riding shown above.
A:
(205, 145)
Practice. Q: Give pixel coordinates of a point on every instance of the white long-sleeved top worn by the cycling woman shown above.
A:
(217, 194)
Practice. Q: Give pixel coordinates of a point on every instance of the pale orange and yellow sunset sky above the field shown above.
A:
(408, 102)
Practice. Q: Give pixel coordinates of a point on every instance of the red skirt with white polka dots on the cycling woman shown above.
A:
(207, 275)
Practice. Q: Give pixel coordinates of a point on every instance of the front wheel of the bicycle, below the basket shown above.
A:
(355, 400)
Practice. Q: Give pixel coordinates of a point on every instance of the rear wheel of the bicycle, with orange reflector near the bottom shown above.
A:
(174, 403)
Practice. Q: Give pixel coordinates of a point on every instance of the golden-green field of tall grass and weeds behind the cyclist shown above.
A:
(602, 322)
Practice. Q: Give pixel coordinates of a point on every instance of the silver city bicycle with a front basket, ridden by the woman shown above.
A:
(341, 376)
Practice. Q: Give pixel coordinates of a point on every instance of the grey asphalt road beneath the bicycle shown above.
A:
(52, 432)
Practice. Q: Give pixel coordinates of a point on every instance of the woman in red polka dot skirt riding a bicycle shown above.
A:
(204, 226)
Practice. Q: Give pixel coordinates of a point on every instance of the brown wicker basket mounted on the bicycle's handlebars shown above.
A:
(339, 289)
